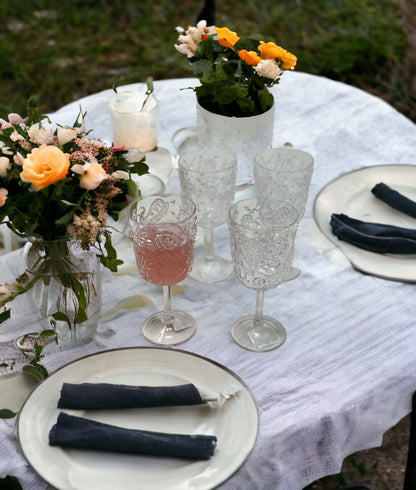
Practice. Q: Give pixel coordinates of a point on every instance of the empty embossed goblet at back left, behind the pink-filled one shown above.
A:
(207, 177)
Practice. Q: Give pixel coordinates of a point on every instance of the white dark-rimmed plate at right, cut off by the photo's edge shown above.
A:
(351, 194)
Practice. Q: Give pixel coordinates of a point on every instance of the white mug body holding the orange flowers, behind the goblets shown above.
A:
(246, 136)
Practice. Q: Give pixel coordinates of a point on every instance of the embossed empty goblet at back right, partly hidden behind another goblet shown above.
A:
(284, 173)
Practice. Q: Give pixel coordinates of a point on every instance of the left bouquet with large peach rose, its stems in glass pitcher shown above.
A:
(57, 187)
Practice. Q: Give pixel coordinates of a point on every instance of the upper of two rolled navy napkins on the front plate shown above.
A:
(113, 396)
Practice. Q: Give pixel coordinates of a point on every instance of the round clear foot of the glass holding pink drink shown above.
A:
(155, 330)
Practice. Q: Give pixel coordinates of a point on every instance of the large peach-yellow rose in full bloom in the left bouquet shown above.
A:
(45, 166)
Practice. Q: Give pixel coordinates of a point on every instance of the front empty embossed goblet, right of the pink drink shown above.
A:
(262, 235)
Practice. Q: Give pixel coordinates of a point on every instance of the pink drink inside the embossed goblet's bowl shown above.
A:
(164, 253)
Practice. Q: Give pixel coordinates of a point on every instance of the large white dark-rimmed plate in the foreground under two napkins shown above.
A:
(235, 423)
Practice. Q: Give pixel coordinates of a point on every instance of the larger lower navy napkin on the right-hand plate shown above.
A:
(375, 237)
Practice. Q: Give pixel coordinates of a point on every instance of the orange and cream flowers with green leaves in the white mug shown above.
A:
(235, 72)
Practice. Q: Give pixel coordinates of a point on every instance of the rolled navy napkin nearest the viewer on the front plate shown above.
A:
(77, 432)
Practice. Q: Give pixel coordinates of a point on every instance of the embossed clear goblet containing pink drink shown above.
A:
(163, 230)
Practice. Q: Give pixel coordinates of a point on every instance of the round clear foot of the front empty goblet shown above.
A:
(271, 336)
